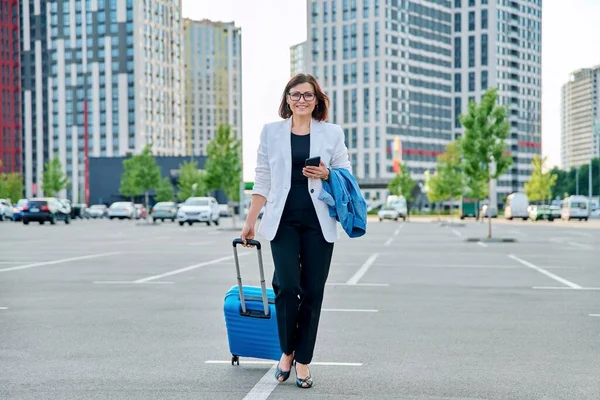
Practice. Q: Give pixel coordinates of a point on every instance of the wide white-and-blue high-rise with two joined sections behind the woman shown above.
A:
(399, 72)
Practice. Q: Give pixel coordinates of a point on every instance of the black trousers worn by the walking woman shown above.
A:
(302, 258)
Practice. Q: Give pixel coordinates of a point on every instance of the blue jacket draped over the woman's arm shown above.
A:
(346, 202)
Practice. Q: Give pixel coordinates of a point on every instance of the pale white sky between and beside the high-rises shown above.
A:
(570, 32)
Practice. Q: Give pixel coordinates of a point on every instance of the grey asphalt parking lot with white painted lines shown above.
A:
(104, 309)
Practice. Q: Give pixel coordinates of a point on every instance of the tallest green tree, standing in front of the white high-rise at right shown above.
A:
(483, 146)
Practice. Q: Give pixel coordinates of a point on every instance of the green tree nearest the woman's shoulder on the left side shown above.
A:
(223, 164)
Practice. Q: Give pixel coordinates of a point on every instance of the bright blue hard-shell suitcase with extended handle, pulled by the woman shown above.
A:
(250, 316)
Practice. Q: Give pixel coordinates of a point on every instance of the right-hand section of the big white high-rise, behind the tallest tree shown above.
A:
(500, 45)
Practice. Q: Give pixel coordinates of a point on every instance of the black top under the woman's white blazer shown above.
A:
(298, 197)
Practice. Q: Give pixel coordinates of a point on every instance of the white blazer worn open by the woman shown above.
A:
(274, 172)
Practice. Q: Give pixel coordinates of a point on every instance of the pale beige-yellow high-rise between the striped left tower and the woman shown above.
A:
(213, 81)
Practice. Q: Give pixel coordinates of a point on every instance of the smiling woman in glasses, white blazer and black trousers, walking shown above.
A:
(295, 220)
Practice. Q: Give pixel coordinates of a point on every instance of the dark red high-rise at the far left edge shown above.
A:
(10, 84)
